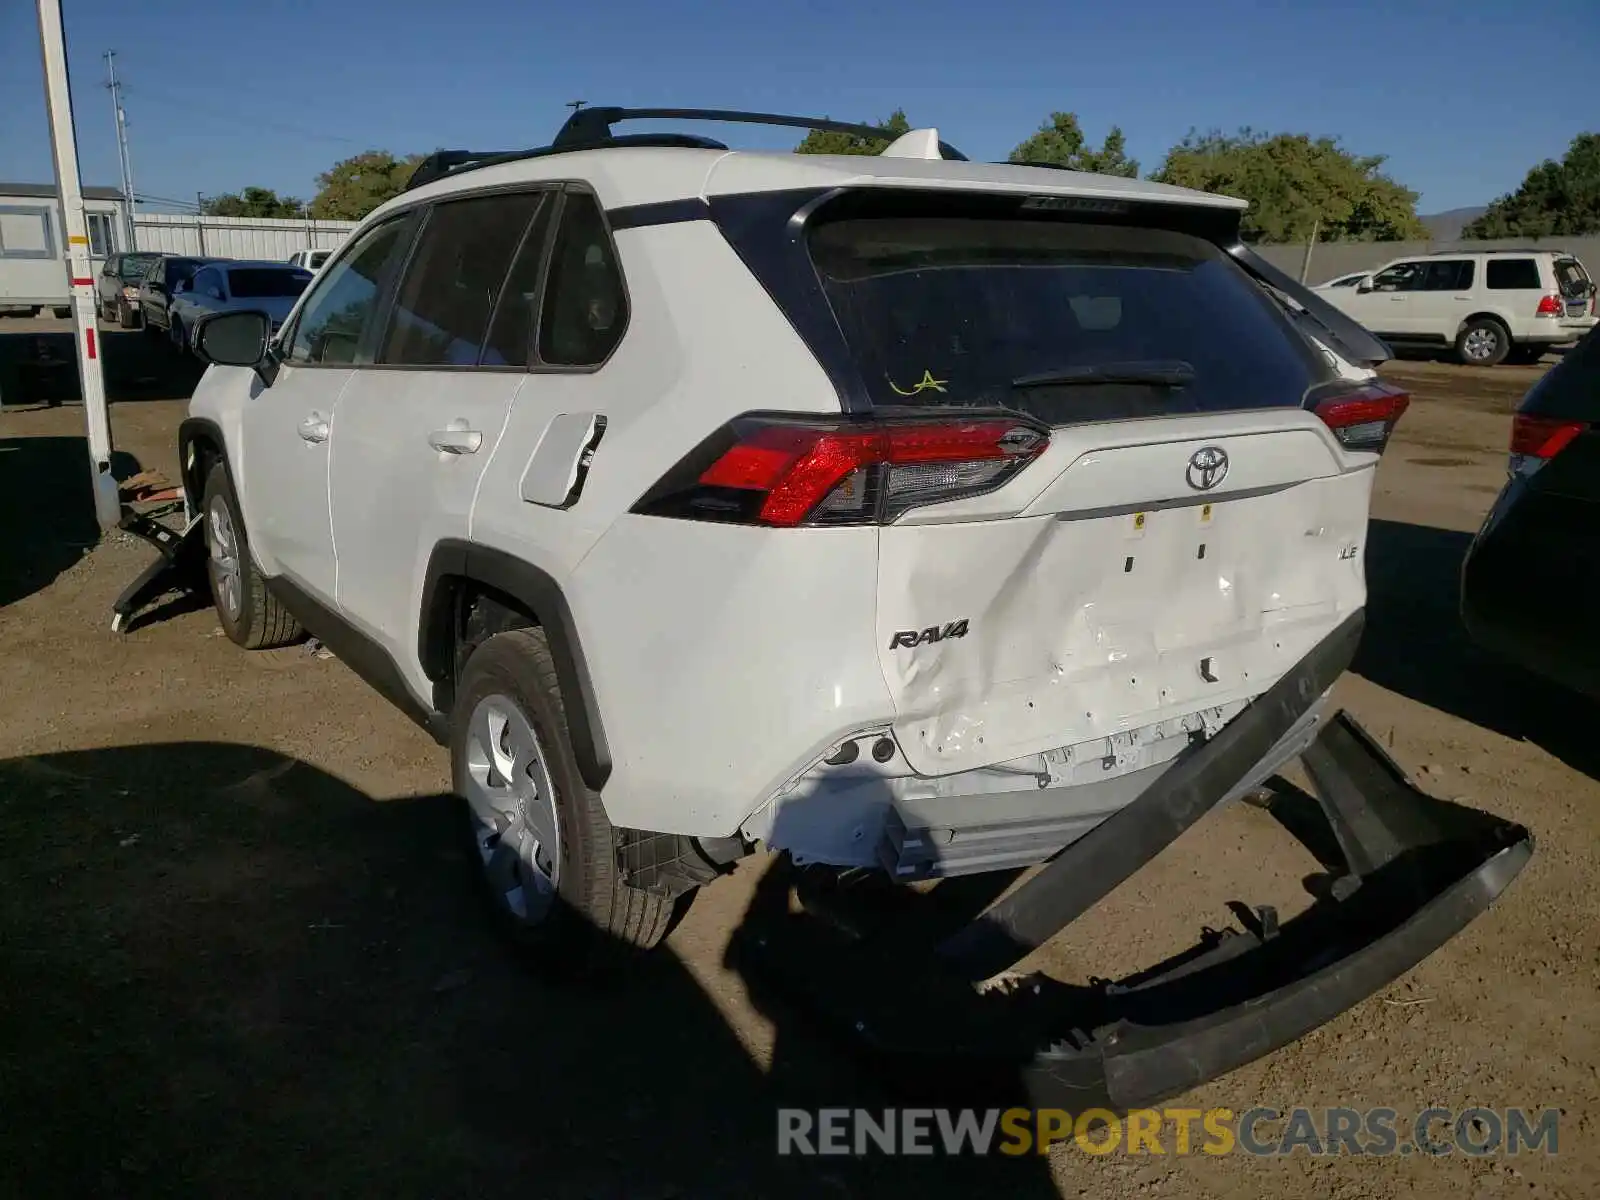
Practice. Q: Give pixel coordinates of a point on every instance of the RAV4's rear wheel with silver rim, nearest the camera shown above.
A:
(548, 852)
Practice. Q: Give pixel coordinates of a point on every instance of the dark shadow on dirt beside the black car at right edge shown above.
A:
(1417, 646)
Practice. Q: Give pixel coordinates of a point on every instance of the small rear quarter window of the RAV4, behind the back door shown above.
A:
(585, 302)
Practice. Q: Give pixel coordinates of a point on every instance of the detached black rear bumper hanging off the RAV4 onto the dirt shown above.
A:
(1406, 873)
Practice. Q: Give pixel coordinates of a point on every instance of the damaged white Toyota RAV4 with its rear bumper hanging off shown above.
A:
(910, 516)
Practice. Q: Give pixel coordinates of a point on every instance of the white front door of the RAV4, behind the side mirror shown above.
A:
(289, 426)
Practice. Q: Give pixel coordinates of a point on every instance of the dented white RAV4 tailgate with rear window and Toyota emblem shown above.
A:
(1190, 532)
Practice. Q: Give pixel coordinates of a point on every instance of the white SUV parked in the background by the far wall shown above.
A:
(1489, 306)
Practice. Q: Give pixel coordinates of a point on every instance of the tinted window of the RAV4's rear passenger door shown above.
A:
(454, 282)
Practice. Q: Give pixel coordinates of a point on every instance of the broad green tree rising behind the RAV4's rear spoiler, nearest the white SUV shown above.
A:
(1295, 182)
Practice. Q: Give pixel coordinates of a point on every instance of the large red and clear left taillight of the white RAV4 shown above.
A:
(793, 471)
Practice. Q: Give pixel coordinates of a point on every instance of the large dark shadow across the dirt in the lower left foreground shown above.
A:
(230, 974)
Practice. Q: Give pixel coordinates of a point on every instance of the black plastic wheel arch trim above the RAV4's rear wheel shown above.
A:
(542, 596)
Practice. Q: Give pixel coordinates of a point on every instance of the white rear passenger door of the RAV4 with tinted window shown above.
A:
(417, 428)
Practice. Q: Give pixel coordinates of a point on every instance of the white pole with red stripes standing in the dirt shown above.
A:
(65, 146)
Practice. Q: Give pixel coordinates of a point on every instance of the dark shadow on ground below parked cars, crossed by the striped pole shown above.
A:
(42, 367)
